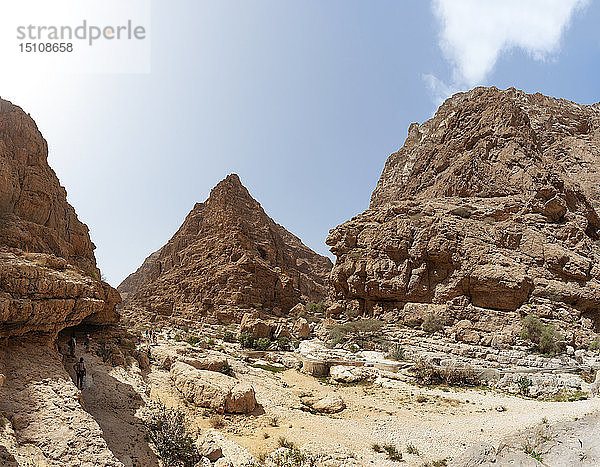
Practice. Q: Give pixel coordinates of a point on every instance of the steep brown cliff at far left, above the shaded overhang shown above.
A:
(48, 274)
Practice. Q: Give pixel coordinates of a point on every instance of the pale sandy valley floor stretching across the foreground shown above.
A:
(441, 423)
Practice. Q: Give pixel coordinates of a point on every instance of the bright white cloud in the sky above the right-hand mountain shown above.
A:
(475, 32)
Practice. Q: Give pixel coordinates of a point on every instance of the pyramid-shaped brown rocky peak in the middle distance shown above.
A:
(228, 256)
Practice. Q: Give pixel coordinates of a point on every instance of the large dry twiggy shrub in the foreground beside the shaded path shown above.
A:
(165, 428)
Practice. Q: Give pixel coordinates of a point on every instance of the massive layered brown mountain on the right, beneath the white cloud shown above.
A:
(489, 210)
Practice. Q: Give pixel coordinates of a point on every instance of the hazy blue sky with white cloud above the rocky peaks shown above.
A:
(304, 99)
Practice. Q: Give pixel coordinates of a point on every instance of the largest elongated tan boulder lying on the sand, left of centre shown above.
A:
(212, 390)
